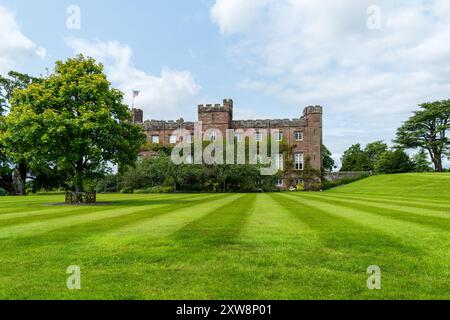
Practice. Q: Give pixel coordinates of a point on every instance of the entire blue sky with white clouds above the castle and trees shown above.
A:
(369, 66)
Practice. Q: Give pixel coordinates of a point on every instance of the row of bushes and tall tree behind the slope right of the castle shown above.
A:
(426, 132)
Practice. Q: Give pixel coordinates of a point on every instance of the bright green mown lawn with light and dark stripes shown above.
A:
(234, 246)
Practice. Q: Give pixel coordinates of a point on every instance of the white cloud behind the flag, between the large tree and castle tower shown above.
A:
(161, 97)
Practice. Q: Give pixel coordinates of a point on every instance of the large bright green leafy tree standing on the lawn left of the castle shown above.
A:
(73, 122)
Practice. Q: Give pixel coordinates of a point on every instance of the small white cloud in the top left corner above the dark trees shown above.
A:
(14, 45)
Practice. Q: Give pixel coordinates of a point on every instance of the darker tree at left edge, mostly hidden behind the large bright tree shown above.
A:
(13, 81)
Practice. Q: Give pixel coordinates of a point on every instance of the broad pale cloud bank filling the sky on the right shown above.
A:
(321, 52)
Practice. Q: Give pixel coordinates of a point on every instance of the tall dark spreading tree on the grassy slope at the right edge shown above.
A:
(428, 129)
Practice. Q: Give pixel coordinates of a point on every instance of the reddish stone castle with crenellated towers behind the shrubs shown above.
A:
(303, 136)
